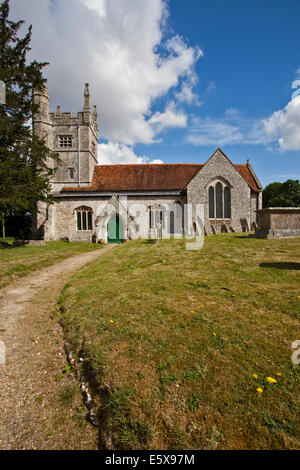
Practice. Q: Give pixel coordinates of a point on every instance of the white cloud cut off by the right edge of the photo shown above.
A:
(283, 126)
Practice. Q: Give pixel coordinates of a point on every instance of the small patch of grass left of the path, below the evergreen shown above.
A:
(17, 262)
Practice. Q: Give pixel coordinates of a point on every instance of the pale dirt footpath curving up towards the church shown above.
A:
(40, 402)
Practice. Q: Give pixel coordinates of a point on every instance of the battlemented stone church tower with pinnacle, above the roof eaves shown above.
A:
(75, 139)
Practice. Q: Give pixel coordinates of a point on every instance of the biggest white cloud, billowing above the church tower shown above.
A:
(118, 46)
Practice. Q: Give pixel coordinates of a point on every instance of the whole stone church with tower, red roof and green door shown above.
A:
(113, 203)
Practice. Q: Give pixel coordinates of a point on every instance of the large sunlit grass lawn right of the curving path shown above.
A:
(176, 343)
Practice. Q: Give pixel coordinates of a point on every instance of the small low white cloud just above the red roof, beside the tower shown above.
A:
(115, 153)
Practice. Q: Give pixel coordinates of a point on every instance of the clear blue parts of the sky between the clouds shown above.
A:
(251, 53)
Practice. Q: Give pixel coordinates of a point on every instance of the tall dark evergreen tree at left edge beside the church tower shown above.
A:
(26, 164)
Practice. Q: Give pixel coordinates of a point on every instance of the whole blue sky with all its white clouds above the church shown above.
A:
(176, 79)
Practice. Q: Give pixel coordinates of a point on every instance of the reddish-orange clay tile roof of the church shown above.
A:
(150, 177)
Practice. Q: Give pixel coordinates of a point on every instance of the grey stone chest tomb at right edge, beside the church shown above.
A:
(278, 222)
